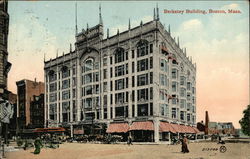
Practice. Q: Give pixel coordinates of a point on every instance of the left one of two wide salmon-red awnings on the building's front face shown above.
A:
(118, 128)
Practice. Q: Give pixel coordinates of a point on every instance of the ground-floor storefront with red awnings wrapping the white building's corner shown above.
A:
(152, 131)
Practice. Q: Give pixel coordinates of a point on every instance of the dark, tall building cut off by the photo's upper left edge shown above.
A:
(4, 64)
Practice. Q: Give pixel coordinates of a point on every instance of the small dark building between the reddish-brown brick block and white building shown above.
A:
(37, 111)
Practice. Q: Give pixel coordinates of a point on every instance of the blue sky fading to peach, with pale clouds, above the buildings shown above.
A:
(218, 43)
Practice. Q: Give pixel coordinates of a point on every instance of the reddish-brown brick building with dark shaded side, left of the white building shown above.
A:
(26, 89)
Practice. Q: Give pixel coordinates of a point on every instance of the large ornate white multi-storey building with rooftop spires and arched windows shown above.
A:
(139, 78)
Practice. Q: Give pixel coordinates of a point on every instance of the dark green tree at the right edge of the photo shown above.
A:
(245, 121)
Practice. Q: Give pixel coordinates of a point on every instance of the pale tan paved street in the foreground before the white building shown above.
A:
(118, 151)
